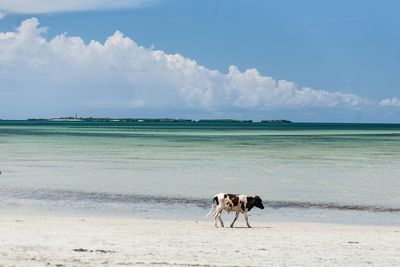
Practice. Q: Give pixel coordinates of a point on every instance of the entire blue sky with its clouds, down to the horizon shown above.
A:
(309, 60)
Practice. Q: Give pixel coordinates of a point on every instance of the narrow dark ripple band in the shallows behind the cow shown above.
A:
(102, 197)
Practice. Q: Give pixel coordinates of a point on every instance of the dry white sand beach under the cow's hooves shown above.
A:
(41, 241)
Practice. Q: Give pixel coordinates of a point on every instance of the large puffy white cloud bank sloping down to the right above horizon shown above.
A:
(118, 77)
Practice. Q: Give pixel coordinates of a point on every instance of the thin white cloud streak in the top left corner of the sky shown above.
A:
(50, 6)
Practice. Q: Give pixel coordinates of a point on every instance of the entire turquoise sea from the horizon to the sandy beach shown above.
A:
(311, 171)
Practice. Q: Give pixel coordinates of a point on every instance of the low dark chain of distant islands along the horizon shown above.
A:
(92, 119)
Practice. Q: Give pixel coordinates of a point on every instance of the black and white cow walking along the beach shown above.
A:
(232, 202)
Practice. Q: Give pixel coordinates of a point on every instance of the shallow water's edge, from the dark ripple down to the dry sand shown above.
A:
(75, 203)
